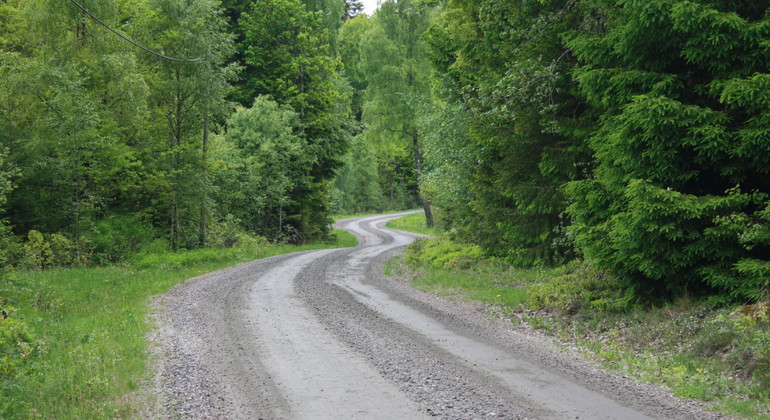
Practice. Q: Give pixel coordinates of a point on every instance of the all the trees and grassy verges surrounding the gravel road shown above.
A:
(598, 170)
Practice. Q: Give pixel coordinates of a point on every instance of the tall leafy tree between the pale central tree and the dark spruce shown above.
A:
(506, 66)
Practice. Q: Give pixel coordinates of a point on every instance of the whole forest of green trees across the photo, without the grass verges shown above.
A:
(634, 135)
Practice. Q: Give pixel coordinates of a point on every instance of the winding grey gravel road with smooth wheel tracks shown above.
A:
(324, 335)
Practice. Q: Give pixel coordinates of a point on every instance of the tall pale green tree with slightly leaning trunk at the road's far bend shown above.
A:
(396, 69)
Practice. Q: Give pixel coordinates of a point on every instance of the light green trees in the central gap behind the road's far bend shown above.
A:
(385, 61)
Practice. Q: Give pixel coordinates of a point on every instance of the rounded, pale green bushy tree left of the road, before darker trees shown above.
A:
(267, 157)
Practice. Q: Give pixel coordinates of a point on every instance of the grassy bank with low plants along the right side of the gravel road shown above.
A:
(716, 354)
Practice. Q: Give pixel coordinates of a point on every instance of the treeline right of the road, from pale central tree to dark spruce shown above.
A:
(632, 134)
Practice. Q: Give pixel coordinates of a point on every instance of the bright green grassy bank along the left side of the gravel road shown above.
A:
(73, 344)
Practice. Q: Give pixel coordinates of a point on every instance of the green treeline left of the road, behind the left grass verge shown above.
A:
(107, 149)
